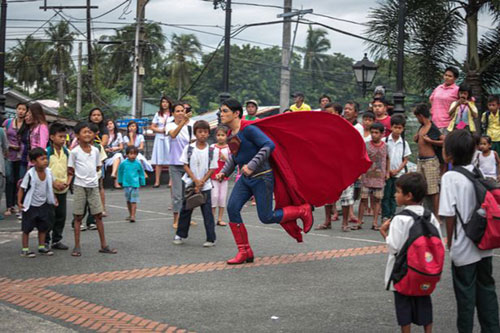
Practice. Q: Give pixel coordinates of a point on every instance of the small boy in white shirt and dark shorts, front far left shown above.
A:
(33, 198)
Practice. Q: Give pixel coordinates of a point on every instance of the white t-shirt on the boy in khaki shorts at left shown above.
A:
(85, 166)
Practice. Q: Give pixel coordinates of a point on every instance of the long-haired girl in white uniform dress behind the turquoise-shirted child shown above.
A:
(160, 146)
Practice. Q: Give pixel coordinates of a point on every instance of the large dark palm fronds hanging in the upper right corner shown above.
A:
(433, 29)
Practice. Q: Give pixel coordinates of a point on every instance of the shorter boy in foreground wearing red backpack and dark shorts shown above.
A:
(416, 254)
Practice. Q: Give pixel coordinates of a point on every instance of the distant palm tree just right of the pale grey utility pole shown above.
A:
(314, 51)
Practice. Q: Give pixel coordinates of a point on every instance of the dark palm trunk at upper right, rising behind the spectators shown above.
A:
(472, 65)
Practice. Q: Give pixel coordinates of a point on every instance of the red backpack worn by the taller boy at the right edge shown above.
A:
(483, 227)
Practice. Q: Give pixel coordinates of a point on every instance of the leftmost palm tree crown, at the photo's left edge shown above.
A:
(23, 62)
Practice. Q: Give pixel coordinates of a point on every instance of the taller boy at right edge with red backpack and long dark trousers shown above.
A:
(468, 207)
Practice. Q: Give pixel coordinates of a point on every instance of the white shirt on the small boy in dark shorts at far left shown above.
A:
(40, 192)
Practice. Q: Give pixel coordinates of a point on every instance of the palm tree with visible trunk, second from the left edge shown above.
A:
(58, 55)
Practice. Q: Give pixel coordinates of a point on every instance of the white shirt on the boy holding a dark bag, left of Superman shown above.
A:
(198, 165)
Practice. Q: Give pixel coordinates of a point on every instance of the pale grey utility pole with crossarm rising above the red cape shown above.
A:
(287, 50)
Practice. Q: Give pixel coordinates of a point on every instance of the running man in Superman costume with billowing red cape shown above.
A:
(306, 158)
